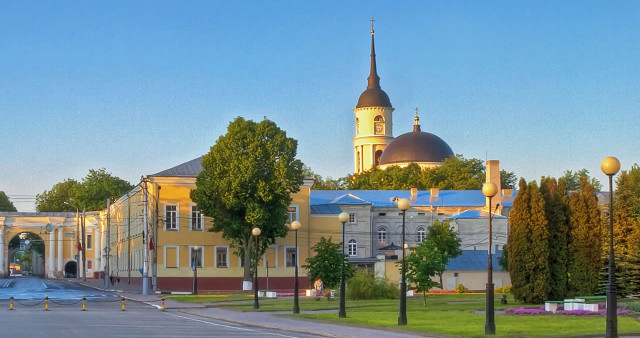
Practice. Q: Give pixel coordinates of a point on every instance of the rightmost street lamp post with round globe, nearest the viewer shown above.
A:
(610, 166)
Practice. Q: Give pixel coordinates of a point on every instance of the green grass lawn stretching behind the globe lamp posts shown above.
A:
(447, 314)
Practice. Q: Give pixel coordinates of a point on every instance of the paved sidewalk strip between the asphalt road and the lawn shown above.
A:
(273, 320)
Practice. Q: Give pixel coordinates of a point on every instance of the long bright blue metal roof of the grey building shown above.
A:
(385, 198)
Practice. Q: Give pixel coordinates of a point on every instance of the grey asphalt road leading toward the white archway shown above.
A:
(103, 316)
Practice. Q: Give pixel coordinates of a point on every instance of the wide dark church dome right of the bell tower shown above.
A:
(416, 147)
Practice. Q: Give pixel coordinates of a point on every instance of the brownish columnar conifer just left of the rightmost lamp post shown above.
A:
(585, 244)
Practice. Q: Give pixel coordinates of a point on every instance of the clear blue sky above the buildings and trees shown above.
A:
(137, 87)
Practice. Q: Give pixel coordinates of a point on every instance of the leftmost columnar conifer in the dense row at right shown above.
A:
(528, 245)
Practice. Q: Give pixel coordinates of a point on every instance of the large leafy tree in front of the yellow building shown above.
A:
(246, 182)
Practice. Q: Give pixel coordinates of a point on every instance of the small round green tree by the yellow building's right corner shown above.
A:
(326, 263)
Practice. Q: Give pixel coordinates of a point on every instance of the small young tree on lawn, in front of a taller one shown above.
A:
(424, 262)
